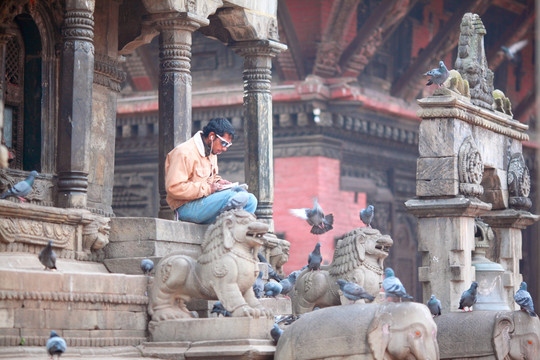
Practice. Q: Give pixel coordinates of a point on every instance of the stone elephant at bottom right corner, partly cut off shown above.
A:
(506, 335)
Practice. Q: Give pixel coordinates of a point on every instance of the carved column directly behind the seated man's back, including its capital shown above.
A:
(174, 89)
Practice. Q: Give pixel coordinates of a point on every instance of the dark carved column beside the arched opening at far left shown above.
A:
(75, 118)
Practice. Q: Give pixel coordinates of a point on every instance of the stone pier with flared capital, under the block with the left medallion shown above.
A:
(446, 240)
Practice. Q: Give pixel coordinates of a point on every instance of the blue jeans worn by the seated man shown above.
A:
(206, 209)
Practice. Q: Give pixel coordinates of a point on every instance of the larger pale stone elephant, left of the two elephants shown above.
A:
(362, 332)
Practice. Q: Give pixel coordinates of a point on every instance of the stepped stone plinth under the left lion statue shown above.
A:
(213, 338)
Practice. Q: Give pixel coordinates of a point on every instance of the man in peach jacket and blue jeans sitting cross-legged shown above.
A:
(195, 191)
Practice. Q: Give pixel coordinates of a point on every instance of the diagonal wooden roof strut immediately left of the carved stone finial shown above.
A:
(410, 83)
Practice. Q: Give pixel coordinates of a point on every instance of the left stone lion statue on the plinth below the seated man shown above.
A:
(225, 271)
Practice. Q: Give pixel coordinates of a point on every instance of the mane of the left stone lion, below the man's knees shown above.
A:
(213, 245)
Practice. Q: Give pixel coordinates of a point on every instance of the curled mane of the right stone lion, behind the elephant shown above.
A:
(347, 253)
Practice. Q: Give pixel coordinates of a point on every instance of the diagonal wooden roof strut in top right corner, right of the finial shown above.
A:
(516, 31)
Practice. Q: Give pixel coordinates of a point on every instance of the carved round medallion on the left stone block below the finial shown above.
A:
(470, 168)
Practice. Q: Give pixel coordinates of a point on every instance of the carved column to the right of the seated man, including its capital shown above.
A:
(259, 168)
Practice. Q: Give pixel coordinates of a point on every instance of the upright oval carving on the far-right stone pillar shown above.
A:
(519, 183)
